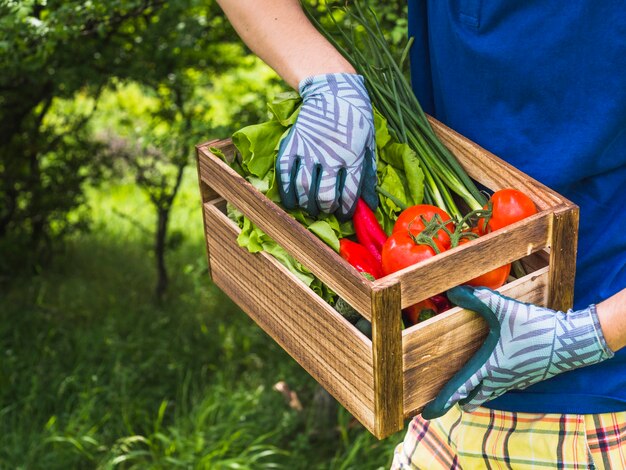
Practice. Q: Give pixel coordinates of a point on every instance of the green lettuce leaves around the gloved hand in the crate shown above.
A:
(398, 171)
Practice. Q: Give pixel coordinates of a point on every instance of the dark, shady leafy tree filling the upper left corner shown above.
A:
(53, 50)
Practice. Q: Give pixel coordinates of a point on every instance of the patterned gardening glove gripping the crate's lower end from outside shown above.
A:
(525, 344)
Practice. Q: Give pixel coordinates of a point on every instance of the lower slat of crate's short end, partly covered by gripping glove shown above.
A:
(433, 351)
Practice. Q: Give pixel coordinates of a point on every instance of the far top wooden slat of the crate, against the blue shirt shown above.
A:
(493, 172)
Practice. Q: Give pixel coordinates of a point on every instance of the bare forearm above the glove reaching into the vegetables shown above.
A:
(280, 34)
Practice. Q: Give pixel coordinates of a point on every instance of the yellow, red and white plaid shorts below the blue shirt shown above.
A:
(491, 439)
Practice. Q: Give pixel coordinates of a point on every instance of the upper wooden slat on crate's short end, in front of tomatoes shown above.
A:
(461, 264)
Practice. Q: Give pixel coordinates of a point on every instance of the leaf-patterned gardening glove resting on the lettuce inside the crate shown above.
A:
(327, 160)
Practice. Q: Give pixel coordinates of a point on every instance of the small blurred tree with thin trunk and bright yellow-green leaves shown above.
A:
(150, 131)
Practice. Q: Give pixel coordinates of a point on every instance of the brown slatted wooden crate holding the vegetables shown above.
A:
(391, 377)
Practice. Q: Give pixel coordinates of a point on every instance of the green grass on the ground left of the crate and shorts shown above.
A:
(95, 374)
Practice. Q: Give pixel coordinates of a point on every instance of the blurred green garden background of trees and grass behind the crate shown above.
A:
(115, 349)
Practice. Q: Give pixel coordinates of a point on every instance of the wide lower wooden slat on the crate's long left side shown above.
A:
(337, 355)
